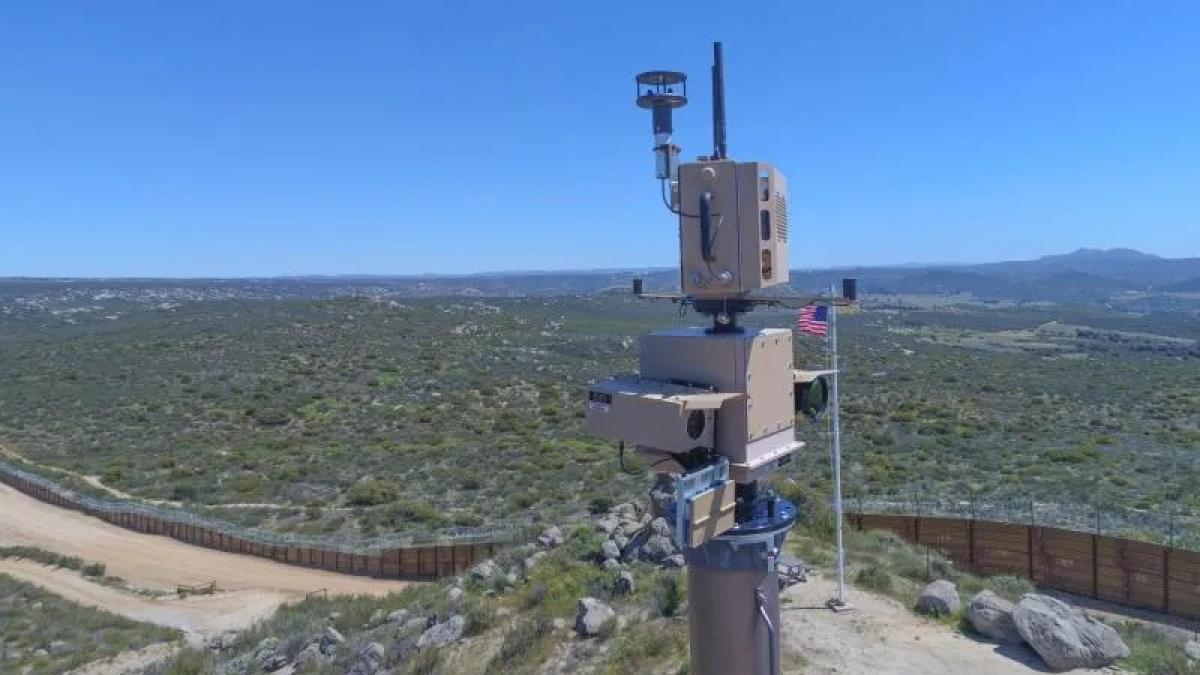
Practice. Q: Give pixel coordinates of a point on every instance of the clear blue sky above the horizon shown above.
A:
(262, 139)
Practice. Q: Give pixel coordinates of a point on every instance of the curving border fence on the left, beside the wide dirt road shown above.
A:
(400, 557)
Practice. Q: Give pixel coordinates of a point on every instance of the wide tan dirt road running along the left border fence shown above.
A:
(152, 561)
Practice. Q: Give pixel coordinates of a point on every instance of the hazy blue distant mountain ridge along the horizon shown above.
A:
(1087, 276)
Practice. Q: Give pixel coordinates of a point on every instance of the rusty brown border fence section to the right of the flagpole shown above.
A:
(1130, 572)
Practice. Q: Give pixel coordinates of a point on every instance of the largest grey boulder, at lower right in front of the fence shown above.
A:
(1066, 638)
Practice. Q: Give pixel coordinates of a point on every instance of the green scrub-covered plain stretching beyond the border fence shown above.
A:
(363, 416)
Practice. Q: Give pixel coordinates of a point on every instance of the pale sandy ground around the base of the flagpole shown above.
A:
(881, 637)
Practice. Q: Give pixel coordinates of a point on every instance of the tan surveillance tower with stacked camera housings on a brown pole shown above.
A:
(716, 407)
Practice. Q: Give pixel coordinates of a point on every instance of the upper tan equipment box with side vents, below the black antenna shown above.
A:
(748, 230)
